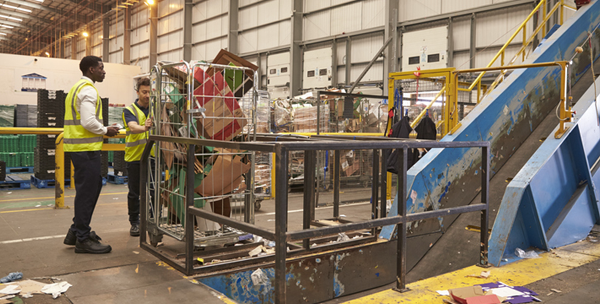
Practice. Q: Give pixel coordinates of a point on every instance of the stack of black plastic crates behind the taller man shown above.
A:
(51, 114)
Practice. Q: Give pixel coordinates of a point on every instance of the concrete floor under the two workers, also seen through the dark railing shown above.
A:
(33, 232)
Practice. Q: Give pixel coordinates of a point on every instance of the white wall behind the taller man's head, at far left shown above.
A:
(61, 75)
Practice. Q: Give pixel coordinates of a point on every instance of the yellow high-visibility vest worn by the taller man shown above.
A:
(76, 137)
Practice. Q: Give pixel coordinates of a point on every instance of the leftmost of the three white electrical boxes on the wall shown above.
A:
(278, 75)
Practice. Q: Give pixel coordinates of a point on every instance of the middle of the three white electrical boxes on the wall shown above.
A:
(317, 69)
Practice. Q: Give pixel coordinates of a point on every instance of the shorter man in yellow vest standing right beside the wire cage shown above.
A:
(137, 124)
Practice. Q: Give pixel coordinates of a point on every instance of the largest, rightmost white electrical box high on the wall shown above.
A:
(427, 49)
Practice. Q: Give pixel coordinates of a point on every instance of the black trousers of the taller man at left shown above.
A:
(88, 184)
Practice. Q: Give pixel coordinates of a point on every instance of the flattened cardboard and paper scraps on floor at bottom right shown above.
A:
(490, 293)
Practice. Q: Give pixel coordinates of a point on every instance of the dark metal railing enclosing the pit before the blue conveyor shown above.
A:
(284, 239)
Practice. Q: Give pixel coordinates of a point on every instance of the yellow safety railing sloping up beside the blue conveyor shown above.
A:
(451, 123)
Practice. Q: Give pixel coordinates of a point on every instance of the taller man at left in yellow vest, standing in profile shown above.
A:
(83, 137)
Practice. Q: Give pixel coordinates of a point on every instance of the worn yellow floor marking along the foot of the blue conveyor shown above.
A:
(519, 273)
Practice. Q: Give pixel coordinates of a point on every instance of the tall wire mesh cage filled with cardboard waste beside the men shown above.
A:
(203, 101)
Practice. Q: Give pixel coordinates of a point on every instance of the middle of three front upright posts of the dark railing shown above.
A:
(401, 227)
